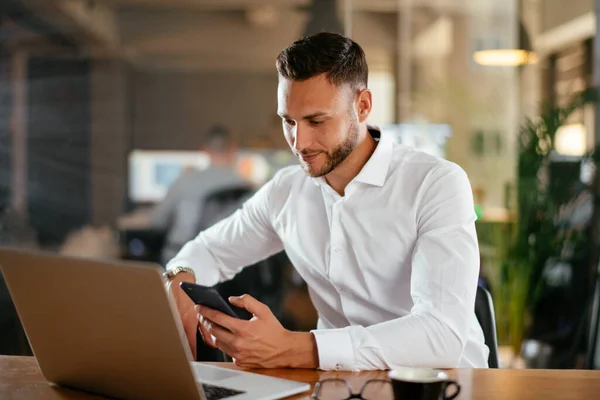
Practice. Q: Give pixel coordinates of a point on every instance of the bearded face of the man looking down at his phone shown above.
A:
(319, 122)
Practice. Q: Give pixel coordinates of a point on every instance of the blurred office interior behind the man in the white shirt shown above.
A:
(104, 103)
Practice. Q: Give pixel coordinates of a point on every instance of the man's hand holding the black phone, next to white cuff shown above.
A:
(261, 342)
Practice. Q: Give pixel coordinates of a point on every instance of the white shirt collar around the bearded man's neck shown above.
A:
(374, 172)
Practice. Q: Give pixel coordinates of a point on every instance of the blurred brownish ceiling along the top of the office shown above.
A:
(227, 34)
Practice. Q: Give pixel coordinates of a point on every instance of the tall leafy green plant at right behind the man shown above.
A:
(523, 247)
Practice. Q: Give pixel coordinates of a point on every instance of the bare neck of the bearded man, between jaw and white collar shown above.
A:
(340, 177)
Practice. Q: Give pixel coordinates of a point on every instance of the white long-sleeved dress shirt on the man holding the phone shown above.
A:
(391, 267)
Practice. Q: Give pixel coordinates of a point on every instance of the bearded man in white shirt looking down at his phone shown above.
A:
(383, 235)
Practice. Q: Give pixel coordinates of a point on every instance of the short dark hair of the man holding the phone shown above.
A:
(342, 59)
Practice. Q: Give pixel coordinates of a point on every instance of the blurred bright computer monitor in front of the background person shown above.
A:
(152, 172)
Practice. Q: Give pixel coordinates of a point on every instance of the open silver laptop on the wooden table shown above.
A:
(110, 328)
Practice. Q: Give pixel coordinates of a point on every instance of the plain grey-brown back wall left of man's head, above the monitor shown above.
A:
(172, 110)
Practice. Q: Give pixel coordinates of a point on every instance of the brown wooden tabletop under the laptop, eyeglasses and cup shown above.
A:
(20, 379)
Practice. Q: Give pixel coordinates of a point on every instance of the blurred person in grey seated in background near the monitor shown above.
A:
(181, 211)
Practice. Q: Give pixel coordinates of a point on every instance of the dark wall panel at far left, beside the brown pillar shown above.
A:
(58, 145)
